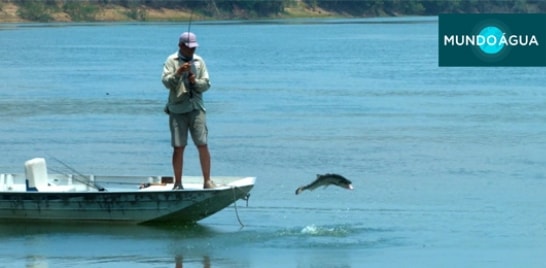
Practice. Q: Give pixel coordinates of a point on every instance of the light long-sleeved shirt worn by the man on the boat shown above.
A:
(183, 96)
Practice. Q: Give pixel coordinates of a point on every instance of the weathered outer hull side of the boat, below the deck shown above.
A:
(136, 207)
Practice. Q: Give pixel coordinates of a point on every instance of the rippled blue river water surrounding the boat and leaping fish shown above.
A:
(447, 163)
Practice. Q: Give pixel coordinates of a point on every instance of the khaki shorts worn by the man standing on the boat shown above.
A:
(195, 122)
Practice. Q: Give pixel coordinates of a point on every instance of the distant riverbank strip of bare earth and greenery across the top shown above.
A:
(19, 11)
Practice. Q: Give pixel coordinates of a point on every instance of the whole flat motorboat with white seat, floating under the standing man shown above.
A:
(36, 195)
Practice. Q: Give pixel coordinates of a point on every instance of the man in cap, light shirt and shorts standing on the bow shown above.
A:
(186, 77)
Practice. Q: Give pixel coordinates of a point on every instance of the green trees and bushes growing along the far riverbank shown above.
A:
(84, 10)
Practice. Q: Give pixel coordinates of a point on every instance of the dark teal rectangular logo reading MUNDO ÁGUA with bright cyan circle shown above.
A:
(492, 40)
